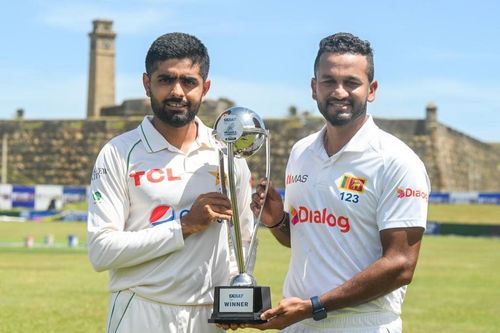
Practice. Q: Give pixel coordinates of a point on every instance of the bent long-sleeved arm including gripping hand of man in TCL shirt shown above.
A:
(111, 246)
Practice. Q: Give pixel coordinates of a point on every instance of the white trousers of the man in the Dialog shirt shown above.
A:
(356, 323)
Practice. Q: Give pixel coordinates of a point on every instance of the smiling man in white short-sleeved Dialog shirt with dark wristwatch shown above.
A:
(355, 207)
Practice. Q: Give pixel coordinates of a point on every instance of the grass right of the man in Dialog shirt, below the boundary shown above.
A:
(456, 287)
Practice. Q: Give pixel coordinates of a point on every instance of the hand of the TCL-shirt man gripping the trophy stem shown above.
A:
(207, 208)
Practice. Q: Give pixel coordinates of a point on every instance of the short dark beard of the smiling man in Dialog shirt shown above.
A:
(341, 118)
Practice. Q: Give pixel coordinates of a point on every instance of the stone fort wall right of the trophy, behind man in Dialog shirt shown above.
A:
(454, 161)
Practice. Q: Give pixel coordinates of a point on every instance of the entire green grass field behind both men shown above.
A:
(456, 287)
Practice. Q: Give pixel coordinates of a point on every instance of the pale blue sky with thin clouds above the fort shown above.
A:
(262, 52)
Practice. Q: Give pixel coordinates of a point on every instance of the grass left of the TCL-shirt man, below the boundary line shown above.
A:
(49, 291)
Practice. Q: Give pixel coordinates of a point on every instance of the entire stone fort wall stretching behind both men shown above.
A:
(63, 152)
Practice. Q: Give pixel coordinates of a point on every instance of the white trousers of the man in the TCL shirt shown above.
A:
(130, 313)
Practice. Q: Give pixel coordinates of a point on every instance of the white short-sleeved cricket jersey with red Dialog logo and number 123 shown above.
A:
(338, 205)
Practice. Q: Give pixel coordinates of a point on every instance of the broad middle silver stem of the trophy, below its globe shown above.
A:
(238, 250)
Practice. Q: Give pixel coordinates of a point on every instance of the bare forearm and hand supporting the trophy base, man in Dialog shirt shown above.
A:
(394, 269)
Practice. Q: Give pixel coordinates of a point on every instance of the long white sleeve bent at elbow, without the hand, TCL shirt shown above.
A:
(109, 245)
